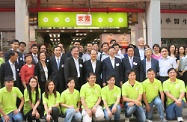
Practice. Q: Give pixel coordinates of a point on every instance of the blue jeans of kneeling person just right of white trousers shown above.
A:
(116, 115)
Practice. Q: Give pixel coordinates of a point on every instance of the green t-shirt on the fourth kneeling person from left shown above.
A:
(70, 99)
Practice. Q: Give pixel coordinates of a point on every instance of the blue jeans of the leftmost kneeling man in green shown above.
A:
(16, 117)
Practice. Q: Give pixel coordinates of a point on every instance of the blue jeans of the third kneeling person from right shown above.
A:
(137, 111)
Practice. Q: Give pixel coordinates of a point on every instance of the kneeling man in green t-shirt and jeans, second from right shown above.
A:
(151, 89)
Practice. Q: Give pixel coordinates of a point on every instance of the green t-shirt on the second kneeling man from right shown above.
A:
(152, 89)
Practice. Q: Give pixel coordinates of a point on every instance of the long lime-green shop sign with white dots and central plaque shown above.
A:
(85, 20)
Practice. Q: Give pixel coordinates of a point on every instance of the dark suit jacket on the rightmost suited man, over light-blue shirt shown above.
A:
(154, 65)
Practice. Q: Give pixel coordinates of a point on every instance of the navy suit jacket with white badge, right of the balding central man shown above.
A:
(109, 70)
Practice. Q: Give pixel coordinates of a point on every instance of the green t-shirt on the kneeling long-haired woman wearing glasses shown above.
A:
(27, 107)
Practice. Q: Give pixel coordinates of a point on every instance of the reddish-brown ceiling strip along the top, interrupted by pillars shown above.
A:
(165, 4)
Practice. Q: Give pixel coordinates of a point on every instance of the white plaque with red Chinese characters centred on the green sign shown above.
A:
(84, 19)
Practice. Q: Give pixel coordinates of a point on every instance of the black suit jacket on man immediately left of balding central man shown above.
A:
(71, 71)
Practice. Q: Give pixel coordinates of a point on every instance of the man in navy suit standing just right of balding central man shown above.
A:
(112, 66)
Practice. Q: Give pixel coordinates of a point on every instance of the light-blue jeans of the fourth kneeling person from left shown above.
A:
(71, 114)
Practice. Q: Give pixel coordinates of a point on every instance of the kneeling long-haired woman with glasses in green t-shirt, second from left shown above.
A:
(32, 95)
